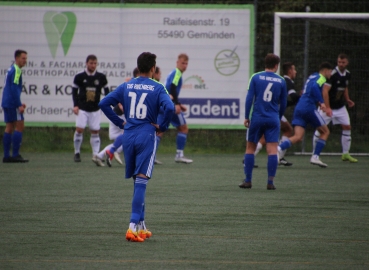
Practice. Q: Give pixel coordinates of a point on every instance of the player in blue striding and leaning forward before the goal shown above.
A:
(306, 113)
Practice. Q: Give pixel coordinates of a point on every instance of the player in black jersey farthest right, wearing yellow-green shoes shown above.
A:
(336, 96)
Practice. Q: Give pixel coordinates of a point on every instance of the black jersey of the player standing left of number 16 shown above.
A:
(87, 90)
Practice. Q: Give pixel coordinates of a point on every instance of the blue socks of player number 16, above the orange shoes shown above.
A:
(138, 201)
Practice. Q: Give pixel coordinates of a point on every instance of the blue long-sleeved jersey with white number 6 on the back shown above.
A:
(266, 97)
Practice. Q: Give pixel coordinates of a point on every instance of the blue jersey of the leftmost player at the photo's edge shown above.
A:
(12, 88)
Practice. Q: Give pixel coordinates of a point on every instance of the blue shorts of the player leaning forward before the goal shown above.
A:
(303, 117)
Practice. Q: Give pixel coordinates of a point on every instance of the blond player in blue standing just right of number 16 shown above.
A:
(174, 84)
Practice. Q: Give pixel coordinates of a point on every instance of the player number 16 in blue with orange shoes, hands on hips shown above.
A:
(142, 98)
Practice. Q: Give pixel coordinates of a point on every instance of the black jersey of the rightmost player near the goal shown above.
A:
(338, 82)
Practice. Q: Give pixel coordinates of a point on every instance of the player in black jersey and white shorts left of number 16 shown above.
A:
(87, 87)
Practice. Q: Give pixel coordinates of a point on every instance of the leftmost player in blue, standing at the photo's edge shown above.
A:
(13, 109)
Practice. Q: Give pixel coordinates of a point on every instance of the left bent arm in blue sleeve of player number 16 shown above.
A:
(110, 101)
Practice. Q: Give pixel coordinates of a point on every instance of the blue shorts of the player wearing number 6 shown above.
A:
(267, 127)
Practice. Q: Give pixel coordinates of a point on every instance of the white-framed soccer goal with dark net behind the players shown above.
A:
(308, 39)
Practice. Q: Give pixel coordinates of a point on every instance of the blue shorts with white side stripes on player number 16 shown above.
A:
(139, 152)
